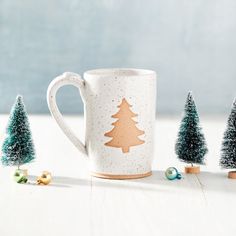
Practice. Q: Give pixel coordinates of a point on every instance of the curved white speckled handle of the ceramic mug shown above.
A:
(67, 78)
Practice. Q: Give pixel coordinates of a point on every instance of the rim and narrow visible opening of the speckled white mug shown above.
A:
(119, 72)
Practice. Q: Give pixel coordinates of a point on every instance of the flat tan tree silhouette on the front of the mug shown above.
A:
(125, 133)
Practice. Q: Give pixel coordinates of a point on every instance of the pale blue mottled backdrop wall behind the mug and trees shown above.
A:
(191, 44)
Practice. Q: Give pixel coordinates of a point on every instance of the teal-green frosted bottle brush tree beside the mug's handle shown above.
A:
(18, 147)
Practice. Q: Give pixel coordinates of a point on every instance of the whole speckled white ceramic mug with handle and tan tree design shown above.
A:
(120, 116)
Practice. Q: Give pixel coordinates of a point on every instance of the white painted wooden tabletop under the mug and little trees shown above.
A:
(77, 204)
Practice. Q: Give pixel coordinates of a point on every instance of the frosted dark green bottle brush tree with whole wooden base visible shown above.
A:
(190, 145)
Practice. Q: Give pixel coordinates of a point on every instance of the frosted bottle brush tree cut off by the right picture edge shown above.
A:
(228, 150)
